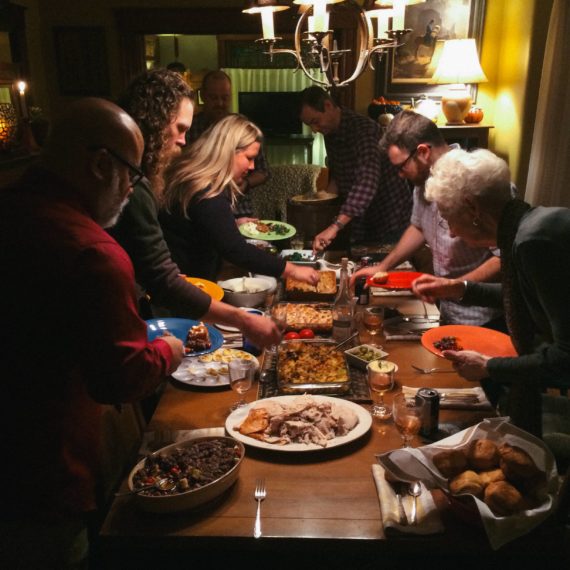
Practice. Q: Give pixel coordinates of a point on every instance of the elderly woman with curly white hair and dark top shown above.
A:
(472, 192)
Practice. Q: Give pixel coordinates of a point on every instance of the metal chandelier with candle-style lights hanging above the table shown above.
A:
(314, 43)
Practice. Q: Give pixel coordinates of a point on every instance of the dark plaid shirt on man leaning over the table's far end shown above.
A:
(378, 200)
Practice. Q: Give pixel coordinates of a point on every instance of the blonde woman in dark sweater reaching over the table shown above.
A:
(197, 217)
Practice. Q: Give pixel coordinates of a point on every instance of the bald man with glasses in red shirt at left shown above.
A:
(74, 340)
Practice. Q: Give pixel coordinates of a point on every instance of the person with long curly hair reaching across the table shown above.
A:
(162, 105)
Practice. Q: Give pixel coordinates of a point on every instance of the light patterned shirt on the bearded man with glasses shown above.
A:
(452, 258)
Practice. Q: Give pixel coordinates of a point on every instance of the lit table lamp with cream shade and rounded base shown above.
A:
(458, 65)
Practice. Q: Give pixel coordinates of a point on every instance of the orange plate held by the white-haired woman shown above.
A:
(480, 339)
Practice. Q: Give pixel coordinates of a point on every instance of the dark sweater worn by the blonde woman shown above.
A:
(209, 234)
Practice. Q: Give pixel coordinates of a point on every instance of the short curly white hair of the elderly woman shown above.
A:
(479, 175)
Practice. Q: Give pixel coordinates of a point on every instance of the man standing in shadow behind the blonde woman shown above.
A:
(216, 93)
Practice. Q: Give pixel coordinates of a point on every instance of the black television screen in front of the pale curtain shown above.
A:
(276, 113)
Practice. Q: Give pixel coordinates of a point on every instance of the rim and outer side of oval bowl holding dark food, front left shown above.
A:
(181, 501)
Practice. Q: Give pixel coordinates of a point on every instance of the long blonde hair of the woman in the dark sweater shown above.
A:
(209, 163)
